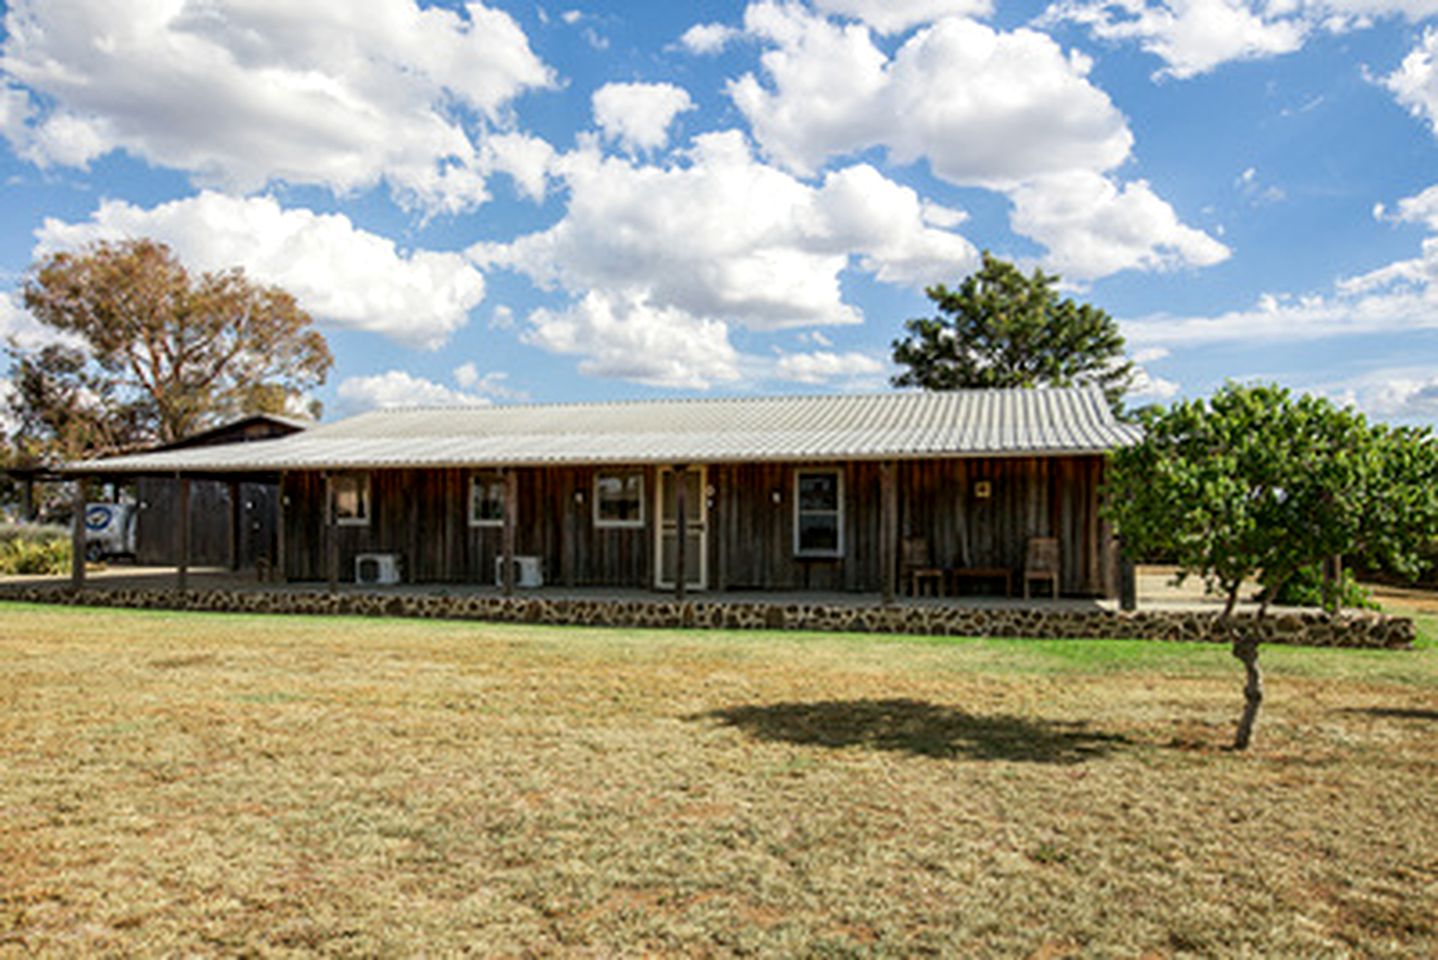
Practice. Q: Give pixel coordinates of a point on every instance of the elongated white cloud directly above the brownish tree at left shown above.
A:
(340, 274)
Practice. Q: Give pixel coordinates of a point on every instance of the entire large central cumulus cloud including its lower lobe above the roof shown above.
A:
(710, 241)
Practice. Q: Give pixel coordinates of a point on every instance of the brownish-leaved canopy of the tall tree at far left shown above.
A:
(147, 353)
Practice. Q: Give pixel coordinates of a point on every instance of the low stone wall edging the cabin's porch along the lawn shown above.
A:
(1308, 629)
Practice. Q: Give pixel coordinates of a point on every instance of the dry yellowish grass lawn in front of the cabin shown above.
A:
(195, 785)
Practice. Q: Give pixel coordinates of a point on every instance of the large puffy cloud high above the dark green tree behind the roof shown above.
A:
(1007, 111)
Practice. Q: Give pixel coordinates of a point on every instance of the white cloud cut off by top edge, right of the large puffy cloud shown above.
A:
(1191, 37)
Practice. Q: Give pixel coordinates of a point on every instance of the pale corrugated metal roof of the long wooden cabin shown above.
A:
(846, 428)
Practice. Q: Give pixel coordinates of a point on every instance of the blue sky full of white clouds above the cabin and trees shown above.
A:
(503, 202)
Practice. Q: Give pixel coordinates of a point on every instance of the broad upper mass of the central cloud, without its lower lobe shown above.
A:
(728, 238)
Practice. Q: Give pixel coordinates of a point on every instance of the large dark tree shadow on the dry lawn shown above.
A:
(918, 728)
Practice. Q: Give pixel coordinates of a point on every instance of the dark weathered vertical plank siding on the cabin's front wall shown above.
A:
(423, 517)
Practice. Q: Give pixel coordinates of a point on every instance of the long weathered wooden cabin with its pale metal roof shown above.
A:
(790, 494)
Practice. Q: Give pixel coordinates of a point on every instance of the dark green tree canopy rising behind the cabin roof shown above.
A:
(1002, 328)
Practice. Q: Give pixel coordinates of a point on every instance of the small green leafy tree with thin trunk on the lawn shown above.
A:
(1259, 485)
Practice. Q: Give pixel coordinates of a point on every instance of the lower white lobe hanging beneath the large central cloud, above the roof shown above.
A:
(628, 337)
